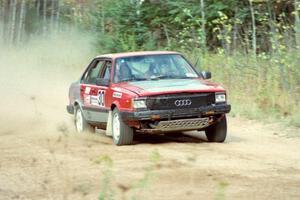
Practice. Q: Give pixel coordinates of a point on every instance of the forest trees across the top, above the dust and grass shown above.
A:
(156, 24)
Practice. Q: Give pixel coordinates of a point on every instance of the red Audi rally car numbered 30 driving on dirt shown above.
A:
(157, 92)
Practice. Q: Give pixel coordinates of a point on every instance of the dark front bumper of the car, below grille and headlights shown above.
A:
(176, 113)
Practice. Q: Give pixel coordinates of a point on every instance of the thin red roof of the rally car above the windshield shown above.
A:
(137, 53)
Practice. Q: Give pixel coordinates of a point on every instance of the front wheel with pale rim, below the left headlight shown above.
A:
(122, 135)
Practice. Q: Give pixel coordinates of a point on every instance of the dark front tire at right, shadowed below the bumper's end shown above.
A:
(218, 131)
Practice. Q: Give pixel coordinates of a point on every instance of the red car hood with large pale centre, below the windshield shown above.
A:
(168, 86)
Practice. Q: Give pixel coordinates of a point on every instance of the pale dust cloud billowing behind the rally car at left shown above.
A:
(34, 79)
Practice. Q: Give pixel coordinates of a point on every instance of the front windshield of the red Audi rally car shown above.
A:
(152, 67)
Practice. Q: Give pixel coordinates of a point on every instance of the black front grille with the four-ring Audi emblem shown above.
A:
(180, 101)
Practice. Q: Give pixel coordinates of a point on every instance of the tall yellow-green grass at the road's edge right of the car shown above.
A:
(268, 88)
